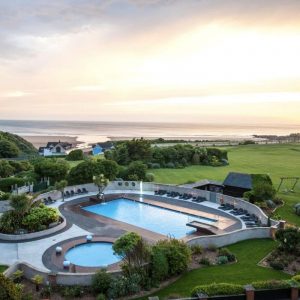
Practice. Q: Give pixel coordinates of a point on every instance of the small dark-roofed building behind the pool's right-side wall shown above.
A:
(236, 184)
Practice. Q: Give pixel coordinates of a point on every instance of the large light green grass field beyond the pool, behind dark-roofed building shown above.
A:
(275, 160)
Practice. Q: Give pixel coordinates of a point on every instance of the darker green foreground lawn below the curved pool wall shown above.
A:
(246, 270)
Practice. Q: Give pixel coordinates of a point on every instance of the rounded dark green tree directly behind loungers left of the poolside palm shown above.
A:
(82, 173)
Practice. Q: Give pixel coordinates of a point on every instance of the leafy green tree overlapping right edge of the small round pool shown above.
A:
(133, 250)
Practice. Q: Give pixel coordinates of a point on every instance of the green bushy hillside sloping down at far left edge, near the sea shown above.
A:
(15, 142)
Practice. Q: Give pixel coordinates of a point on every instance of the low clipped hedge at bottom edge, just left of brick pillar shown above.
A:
(219, 289)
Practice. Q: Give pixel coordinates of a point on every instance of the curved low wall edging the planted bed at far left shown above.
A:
(34, 235)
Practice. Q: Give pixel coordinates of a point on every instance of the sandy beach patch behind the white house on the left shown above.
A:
(41, 141)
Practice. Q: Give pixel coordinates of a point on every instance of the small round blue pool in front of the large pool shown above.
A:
(94, 254)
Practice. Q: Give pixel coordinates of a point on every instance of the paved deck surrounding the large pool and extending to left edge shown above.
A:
(80, 224)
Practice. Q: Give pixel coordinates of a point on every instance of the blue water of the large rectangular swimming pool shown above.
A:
(157, 219)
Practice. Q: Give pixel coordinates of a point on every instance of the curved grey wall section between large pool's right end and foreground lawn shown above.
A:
(231, 237)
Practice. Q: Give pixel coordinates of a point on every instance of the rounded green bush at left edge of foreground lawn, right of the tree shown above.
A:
(178, 255)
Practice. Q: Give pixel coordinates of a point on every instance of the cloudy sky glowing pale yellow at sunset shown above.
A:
(195, 61)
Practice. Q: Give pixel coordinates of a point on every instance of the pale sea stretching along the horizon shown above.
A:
(89, 132)
